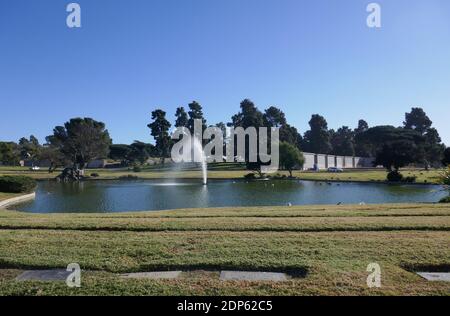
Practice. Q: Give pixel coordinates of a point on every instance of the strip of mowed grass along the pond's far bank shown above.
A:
(230, 171)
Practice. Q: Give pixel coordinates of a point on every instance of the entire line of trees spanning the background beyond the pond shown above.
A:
(82, 140)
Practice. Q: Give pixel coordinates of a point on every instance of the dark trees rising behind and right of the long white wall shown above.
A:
(364, 141)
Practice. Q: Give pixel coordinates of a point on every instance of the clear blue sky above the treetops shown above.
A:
(132, 56)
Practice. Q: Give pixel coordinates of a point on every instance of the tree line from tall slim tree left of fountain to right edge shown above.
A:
(394, 147)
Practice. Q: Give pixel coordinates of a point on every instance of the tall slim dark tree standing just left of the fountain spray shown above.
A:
(160, 132)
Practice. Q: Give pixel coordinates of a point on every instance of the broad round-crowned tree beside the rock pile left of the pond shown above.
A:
(81, 140)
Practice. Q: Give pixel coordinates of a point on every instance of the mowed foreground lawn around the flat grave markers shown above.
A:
(331, 244)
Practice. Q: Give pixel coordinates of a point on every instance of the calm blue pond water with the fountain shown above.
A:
(121, 196)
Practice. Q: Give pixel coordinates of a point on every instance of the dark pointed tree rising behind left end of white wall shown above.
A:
(317, 139)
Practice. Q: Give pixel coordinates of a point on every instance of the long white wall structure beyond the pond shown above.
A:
(322, 161)
